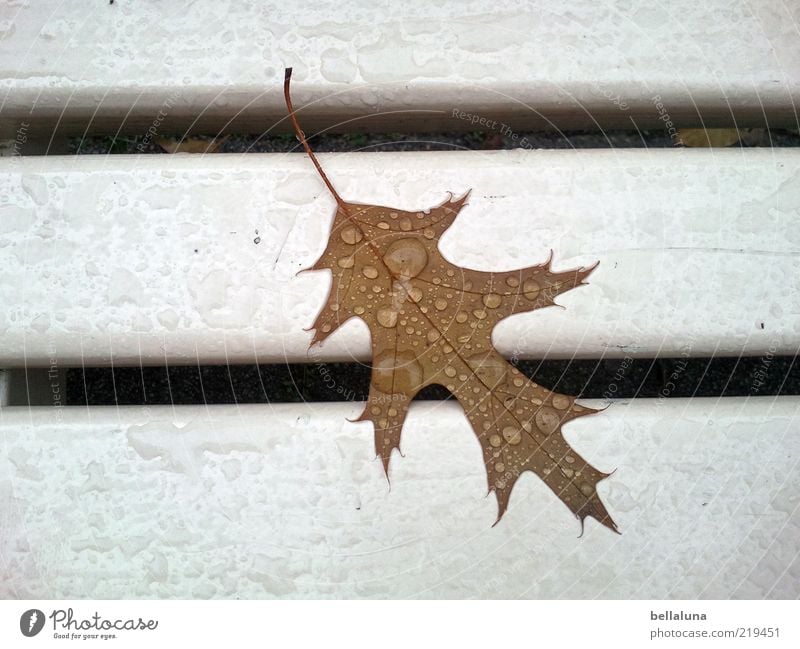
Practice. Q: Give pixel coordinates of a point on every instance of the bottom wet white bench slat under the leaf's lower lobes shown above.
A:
(289, 501)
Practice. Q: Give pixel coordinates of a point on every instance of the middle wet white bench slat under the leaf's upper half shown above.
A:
(153, 259)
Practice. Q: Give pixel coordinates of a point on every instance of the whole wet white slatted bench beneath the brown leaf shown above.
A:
(125, 260)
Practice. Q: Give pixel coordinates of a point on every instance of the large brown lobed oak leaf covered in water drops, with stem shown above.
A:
(431, 323)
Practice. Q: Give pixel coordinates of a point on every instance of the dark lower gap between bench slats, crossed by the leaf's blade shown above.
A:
(591, 379)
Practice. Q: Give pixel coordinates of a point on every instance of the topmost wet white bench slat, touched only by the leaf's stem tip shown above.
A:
(218, 64)
